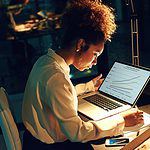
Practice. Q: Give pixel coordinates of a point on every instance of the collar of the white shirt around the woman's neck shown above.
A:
(59, 60)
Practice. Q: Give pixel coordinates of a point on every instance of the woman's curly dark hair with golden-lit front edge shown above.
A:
(88, 19)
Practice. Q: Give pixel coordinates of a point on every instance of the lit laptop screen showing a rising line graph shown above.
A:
(125, 82)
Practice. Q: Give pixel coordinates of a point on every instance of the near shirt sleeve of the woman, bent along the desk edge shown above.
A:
(62, 100)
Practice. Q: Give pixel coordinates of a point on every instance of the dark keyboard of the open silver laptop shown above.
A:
(102, 102)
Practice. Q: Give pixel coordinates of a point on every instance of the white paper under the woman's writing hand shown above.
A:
(139, 126)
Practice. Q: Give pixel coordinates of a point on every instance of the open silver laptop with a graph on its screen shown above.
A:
(119, 92)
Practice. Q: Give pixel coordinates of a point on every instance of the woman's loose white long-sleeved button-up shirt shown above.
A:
(50, 105)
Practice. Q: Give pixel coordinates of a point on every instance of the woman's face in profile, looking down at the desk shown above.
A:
(86, 59)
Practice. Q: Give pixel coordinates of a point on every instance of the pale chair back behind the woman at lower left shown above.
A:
(7, 124)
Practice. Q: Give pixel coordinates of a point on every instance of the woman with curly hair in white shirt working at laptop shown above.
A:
(50, 99)
